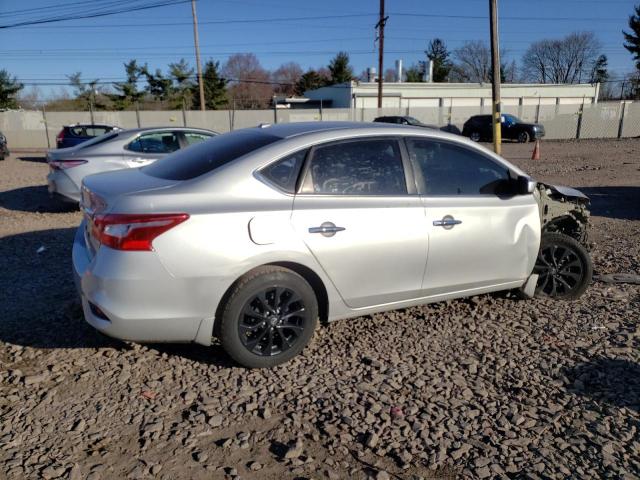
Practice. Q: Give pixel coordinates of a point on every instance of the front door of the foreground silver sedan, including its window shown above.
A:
(480, 234)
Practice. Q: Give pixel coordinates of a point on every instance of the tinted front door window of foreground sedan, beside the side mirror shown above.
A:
(447, 169)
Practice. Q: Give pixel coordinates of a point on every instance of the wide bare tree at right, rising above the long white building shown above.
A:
(567, 60)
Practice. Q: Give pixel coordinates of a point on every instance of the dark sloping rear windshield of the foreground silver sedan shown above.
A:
(208, 155)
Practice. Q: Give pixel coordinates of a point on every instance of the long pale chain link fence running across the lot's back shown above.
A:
(37, 129)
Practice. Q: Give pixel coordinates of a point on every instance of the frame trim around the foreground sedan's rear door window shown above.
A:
(305, 181)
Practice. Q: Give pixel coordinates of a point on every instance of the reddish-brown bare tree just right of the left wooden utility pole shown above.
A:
(249, 83)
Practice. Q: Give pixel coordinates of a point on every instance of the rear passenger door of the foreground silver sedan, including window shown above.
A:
(362, 220)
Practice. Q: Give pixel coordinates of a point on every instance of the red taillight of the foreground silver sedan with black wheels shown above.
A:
(133, 232)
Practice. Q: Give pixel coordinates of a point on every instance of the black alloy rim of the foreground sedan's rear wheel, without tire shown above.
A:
(272, 321)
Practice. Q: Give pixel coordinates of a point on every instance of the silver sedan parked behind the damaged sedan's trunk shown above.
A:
(114, 151)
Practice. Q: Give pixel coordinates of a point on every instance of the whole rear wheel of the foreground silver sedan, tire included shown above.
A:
(256, 307)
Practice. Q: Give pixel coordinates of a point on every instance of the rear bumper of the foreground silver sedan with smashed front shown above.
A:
(137, 299)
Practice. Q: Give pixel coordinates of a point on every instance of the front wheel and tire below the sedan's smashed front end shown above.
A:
(564, 267)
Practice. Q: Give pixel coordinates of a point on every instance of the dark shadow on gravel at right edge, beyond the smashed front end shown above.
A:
(614, 202)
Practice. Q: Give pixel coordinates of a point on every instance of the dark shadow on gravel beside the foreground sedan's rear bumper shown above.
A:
(38, 302)
